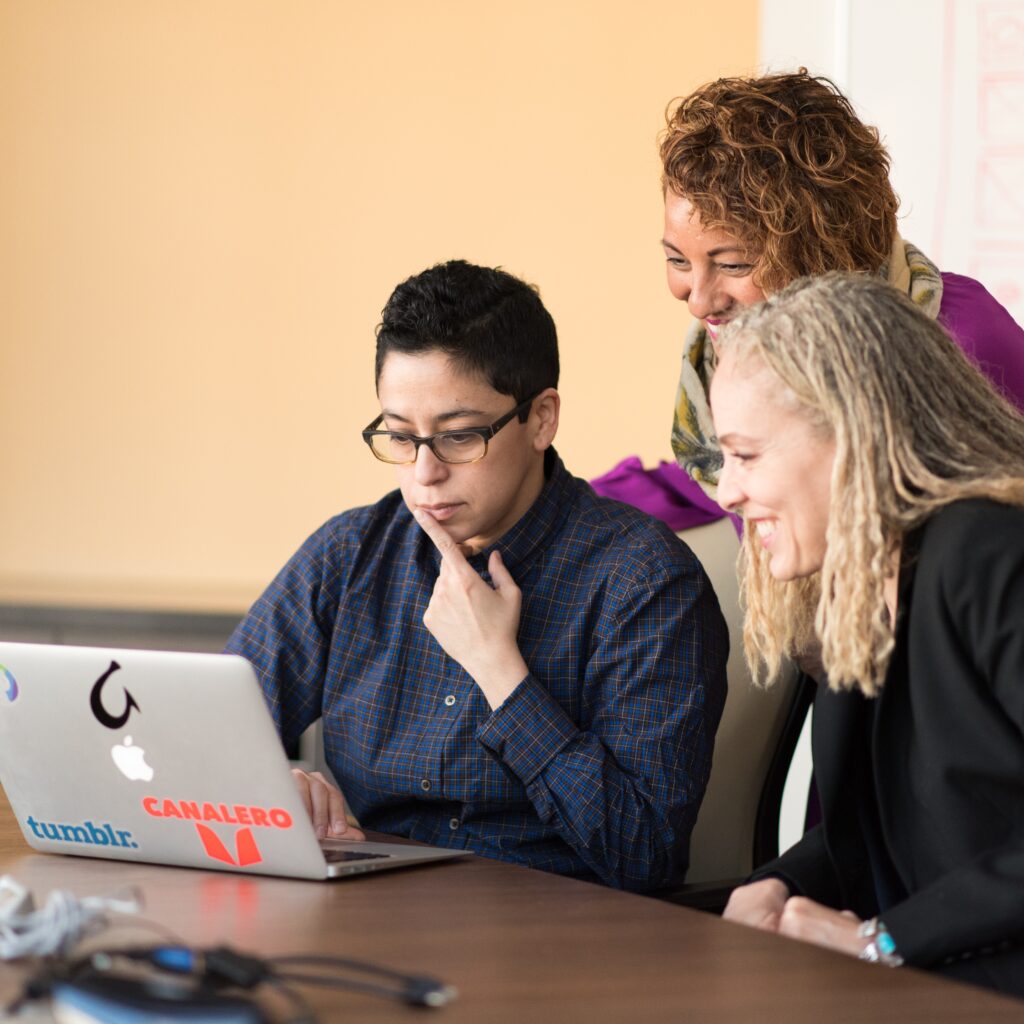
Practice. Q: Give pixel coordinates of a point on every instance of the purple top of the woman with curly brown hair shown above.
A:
(976, 322)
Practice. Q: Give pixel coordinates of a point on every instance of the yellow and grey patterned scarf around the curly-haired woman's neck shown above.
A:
(694, 439)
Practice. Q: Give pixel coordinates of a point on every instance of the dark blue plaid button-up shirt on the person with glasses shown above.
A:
(594, 766)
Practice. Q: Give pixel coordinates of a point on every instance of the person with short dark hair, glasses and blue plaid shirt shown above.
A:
(503, 662)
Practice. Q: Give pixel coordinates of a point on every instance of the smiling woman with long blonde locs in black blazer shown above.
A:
(882, 483)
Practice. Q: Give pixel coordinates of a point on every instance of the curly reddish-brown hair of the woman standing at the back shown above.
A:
(784, 163)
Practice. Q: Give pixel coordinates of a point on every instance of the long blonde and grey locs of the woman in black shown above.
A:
(916, 425)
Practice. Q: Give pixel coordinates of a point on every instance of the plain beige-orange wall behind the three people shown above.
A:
(204, 206)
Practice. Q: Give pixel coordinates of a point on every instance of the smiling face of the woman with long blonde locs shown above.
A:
(778, 466)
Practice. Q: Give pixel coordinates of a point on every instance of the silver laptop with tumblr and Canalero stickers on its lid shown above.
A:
(167, 758)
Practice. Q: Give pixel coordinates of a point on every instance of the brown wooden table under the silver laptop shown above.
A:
(520, 946)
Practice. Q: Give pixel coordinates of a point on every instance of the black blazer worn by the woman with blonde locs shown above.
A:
(948, 758)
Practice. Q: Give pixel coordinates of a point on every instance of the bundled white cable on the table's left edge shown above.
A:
(56, 928)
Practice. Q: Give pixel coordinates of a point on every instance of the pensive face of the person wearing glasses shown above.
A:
(481, 501)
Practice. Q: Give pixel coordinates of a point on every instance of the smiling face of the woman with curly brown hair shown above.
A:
(710, 271)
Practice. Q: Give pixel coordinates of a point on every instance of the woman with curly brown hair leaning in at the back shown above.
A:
(770, 180)
